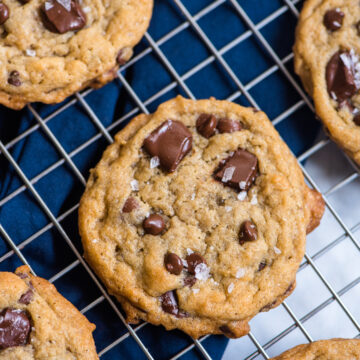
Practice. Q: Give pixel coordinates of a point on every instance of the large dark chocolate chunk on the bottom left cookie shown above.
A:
(14, 328)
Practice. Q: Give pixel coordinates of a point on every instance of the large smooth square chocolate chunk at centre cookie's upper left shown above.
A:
(171, 141)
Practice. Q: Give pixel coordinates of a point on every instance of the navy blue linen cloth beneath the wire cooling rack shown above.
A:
(61, 190)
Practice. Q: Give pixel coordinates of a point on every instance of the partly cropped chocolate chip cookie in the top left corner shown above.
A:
(50, 49)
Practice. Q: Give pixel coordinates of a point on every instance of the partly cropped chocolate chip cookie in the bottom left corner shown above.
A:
(37, 323)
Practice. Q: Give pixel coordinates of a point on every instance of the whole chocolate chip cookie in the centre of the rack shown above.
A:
(195, 218)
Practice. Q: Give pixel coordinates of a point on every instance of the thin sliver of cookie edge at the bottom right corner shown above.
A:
(335, 349)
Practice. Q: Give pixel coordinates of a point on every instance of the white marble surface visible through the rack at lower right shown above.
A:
(340, 266)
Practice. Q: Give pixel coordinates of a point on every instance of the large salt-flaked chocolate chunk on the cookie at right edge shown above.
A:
(340, 75)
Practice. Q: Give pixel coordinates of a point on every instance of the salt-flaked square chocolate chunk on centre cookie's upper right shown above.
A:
(238, 171)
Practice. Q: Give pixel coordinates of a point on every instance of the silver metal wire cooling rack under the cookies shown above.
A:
(216, 55)
